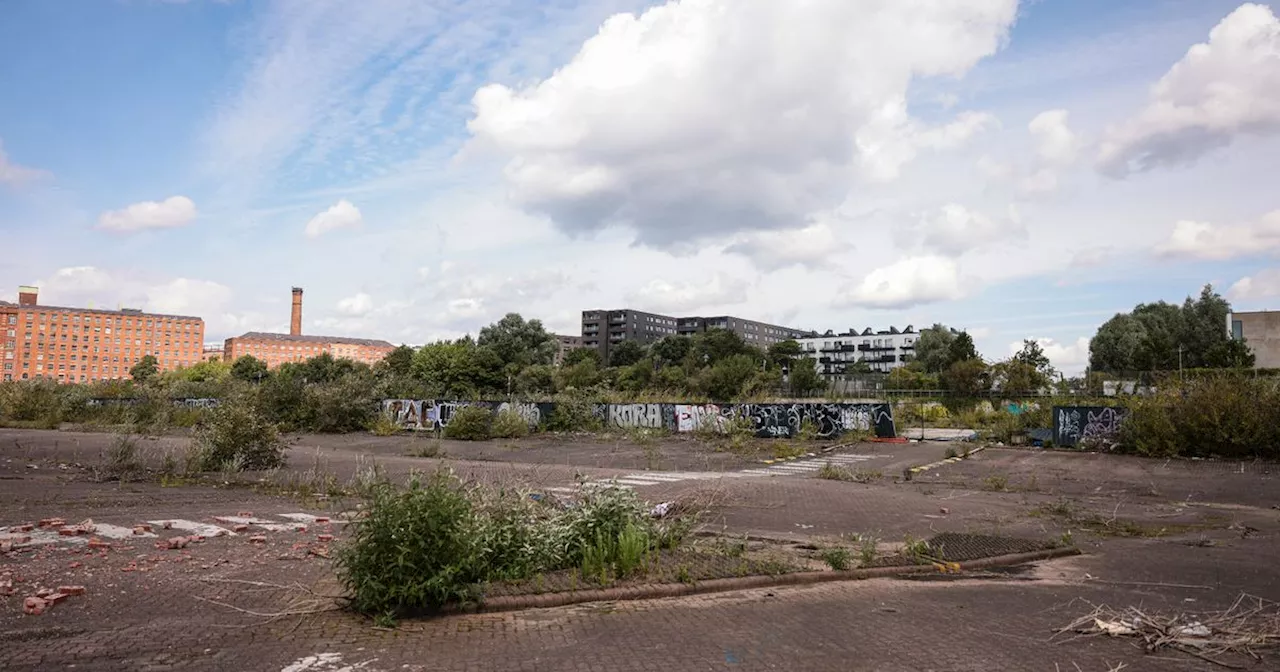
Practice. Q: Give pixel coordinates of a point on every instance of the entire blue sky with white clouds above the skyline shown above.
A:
(1018, 170)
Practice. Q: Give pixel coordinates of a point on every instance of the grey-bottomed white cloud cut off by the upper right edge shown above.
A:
(1220, 90)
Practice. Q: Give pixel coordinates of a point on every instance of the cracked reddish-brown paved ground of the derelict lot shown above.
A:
(1177, 536)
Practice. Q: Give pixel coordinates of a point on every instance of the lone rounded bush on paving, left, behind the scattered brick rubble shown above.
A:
(237, 435)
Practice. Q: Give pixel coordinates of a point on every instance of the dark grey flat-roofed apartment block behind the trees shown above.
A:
(604, 330)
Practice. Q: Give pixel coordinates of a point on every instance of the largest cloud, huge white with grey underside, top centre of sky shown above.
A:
(702, 117)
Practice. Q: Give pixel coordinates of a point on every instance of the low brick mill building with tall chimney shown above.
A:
(294, 348)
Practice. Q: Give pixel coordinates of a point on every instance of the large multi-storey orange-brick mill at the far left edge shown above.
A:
(85, 345)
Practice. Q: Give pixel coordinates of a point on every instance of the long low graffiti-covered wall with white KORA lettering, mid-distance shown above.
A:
(829, 420)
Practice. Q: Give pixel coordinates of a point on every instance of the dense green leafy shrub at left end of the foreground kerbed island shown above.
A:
(417, 550)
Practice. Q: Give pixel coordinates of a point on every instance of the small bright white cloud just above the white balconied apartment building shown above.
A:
(911, 282)
